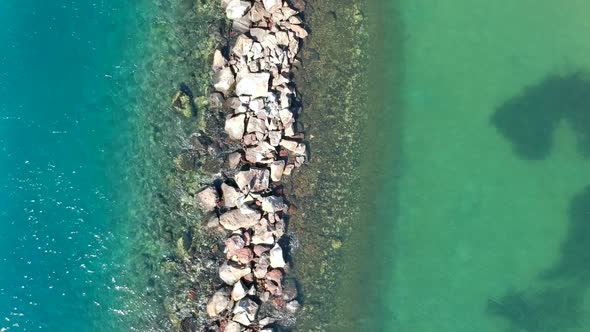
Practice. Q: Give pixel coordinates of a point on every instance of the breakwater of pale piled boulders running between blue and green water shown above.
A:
(253, 84)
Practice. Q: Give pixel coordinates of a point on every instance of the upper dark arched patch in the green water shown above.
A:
(529, 119)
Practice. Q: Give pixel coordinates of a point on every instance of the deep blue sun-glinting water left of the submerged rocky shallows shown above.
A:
(61, 130)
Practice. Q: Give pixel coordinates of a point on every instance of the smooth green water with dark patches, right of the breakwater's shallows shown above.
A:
(489, 220)
